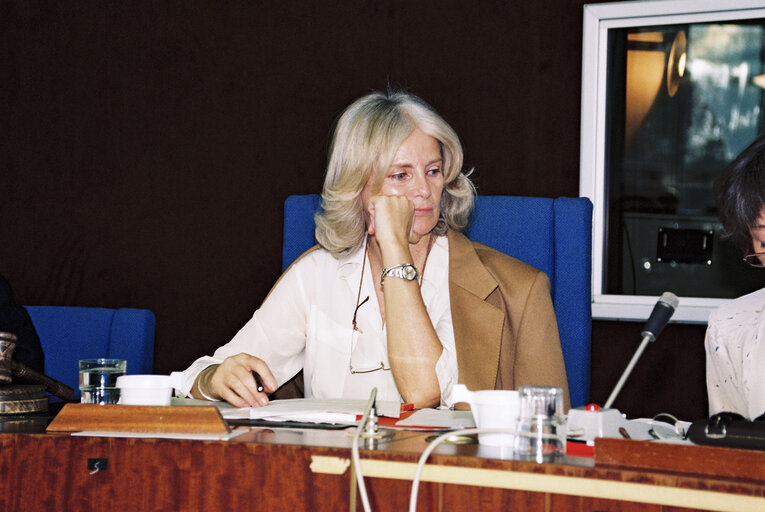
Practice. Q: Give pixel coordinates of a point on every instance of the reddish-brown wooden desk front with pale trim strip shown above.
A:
(286, 470)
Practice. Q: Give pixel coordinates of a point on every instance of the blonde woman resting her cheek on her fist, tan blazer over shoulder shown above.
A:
(393, 297)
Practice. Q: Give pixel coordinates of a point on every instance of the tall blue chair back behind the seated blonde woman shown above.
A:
(553, 235)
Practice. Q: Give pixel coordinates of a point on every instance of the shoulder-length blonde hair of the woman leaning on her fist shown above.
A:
(365, 140)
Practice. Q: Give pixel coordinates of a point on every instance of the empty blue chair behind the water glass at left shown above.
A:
(68, 334)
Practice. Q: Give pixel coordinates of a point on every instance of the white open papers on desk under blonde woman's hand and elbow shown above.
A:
(311, 410)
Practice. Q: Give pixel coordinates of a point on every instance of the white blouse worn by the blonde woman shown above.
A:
(306, 323)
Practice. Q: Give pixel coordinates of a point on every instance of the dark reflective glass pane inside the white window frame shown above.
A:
(682, 102)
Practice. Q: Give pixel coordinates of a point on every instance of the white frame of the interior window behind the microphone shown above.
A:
(598, 20)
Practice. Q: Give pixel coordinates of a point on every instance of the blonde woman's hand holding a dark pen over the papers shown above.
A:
(234, 382)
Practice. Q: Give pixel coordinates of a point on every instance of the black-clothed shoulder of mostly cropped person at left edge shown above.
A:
(15, 319)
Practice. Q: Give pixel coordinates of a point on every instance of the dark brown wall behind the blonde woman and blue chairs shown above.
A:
(147, 147)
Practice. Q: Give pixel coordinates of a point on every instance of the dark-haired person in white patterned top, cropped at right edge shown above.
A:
(734, 351)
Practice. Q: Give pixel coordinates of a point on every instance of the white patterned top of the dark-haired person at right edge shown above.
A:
(736, 356)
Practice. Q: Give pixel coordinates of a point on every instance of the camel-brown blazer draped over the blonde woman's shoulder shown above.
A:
(505, 330)
